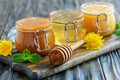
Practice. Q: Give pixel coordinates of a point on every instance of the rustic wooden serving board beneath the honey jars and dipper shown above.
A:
(44, 68)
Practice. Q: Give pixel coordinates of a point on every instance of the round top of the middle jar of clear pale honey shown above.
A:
(65, 14)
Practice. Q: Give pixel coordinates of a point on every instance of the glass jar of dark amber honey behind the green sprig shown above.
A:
(34, 34)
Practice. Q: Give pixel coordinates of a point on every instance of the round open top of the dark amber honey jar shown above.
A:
(33, 24)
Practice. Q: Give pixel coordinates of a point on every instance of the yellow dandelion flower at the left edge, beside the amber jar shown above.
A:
(5, 47)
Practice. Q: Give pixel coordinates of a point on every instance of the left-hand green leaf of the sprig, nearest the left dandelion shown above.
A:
(18, 57)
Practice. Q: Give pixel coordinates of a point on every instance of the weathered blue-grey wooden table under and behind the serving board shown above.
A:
(105, 67)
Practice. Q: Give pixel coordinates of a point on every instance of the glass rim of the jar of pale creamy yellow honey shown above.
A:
(107, 11)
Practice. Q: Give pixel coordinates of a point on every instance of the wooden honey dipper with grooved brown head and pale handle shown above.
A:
(63, 53)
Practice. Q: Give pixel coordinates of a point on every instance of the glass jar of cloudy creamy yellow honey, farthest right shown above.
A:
(99, 17)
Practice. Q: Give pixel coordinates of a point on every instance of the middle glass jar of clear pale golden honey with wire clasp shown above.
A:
(67, 26)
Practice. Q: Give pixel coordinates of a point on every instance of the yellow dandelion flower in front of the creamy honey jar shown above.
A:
(93, 41)
